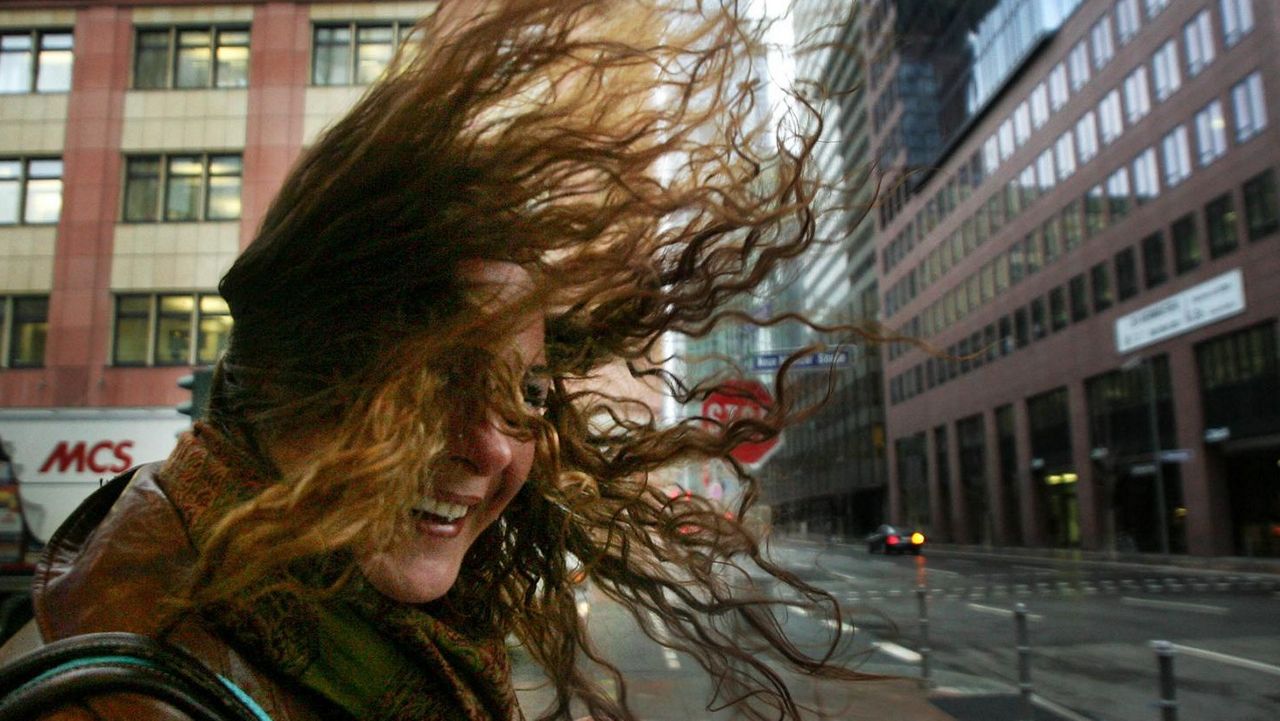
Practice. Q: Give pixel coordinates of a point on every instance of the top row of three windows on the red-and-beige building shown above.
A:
(199, 57)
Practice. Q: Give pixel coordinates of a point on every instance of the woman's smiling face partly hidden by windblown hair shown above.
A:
(484, 471)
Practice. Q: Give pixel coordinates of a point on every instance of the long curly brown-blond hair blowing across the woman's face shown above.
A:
(625, 154)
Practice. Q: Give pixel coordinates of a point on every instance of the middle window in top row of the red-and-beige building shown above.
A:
(191, 58)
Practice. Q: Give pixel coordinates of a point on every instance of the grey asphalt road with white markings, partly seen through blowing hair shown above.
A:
(1091, 627)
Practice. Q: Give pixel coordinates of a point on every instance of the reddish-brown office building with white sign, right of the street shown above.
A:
(1091, 254)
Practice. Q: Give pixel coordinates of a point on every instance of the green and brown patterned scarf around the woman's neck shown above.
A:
(374, 658)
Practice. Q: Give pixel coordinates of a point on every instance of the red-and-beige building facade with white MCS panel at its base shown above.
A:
(140, 145)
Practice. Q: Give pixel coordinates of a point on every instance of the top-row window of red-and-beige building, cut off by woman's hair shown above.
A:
(355, 53)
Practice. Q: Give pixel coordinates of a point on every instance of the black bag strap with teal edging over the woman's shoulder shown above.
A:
(85, 667)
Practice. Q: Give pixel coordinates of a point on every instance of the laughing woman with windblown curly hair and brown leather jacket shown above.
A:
(405, 457)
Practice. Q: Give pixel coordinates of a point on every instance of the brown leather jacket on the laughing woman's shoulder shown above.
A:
(108, 569)
